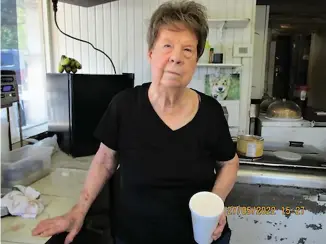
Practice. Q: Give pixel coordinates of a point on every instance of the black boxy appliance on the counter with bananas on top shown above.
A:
(76, 103)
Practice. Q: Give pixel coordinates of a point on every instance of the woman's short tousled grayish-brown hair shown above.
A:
(193, 15)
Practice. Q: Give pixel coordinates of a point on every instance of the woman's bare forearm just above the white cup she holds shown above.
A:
(226, 178)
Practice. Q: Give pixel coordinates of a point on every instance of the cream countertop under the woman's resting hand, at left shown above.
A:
(60, 191)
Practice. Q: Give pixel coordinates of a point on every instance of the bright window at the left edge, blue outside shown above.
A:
(22, 50)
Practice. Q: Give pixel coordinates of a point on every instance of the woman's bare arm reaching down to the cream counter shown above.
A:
(102, 168)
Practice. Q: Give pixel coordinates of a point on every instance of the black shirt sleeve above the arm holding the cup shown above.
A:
(224, 146)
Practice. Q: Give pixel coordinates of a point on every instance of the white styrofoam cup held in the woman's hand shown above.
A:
(206, 209)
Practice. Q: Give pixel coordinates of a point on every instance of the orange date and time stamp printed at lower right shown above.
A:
(264, 210)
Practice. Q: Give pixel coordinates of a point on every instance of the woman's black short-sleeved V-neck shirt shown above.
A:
(161, 168)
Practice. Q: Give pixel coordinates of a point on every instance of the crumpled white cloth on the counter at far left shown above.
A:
(23, 201)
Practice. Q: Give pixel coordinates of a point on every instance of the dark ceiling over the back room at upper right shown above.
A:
(296, 15)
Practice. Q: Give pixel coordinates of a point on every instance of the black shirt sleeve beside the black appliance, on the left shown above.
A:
(107, 130)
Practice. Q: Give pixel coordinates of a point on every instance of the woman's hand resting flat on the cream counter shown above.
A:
(70, 222)
